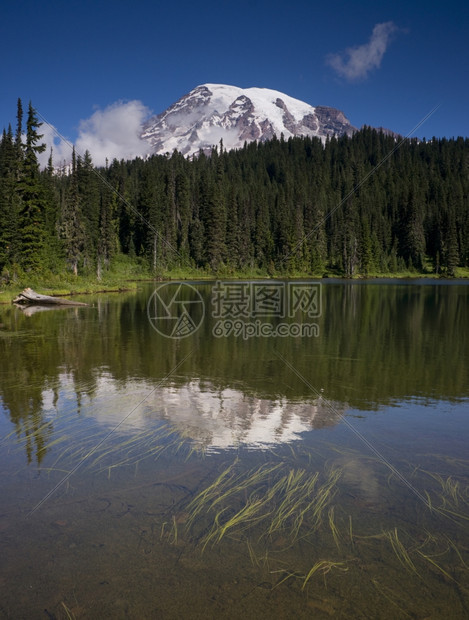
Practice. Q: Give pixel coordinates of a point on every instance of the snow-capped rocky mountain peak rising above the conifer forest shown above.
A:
(214, 112)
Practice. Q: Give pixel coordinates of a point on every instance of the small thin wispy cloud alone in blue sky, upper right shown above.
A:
(357, 62)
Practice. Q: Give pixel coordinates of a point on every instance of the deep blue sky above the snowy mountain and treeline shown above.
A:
(382, 63)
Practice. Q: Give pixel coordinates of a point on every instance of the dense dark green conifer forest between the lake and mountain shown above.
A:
(354, 205)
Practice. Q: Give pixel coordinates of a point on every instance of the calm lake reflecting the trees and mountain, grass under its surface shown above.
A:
(276, 449)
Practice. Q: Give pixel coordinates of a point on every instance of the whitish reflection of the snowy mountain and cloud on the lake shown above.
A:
(212, 418)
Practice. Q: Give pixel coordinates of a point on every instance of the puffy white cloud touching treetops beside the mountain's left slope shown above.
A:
(113, 132)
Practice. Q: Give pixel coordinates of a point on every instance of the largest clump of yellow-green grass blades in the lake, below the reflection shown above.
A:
(273, 496)
